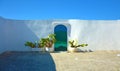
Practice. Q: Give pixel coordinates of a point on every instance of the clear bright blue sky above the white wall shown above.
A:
(60, 9)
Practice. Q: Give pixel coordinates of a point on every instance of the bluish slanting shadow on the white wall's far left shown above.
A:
(13, 35)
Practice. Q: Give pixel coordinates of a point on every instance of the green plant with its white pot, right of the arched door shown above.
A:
(73, 46)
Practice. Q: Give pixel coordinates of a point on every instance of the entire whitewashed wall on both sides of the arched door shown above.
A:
(99, 34)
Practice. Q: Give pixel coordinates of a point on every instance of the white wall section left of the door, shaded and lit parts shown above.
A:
(14, 33)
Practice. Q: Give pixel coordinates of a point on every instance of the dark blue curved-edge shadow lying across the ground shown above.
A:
(26, 61)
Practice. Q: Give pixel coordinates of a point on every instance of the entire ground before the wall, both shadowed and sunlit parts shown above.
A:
(63, 61)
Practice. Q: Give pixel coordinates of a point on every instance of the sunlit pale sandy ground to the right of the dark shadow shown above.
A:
(88, 61)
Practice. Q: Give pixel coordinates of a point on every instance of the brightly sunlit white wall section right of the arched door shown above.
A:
(99, 34)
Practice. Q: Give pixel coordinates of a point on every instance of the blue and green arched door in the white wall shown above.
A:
(61, 37)
